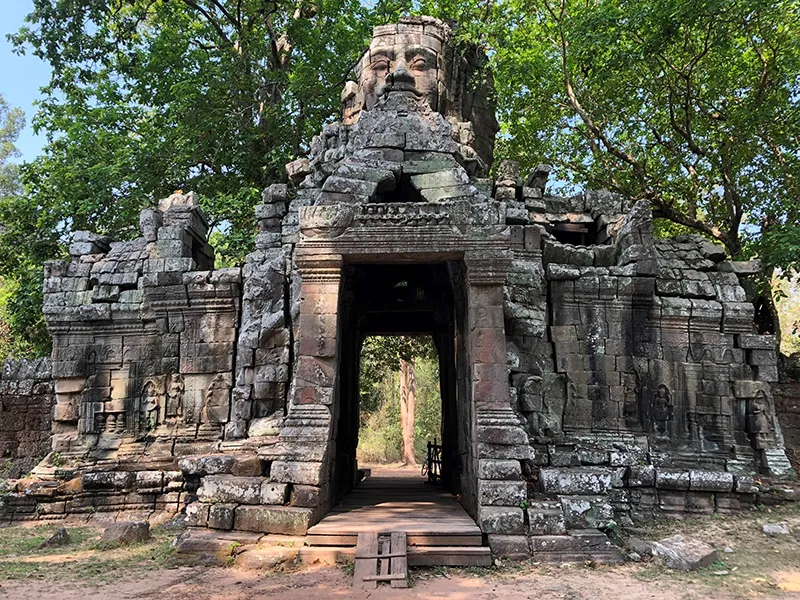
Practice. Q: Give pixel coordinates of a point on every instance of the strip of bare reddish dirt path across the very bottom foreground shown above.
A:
(566, 583)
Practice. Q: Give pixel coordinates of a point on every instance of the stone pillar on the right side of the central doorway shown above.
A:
(500, 440)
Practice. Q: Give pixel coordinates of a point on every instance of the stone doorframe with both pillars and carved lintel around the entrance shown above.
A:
(306, 451)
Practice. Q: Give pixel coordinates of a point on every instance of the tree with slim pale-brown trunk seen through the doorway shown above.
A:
(397, 353)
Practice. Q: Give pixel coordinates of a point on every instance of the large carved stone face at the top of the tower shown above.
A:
(408, 61)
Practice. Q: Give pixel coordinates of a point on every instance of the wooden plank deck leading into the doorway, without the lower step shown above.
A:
(397, 499)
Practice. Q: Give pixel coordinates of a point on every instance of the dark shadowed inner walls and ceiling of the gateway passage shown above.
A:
(408, 300)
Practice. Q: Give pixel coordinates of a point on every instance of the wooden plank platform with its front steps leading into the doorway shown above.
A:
(437, 528)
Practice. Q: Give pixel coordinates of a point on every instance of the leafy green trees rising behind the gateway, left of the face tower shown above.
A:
(149, 96)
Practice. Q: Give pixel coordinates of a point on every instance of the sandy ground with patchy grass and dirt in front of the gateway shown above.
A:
(751, 565)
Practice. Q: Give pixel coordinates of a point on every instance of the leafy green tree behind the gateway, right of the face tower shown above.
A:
(693, 106)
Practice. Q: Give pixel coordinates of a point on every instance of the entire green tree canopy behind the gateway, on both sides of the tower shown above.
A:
(692, 105)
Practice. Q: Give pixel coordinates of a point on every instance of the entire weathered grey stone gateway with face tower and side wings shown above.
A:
(590, 373)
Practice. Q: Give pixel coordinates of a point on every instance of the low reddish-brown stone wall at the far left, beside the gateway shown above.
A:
(26, 403)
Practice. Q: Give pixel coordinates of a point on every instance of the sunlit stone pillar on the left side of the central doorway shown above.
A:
(303, 456)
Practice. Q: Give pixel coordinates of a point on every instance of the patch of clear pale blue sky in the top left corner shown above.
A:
(21, 76)
